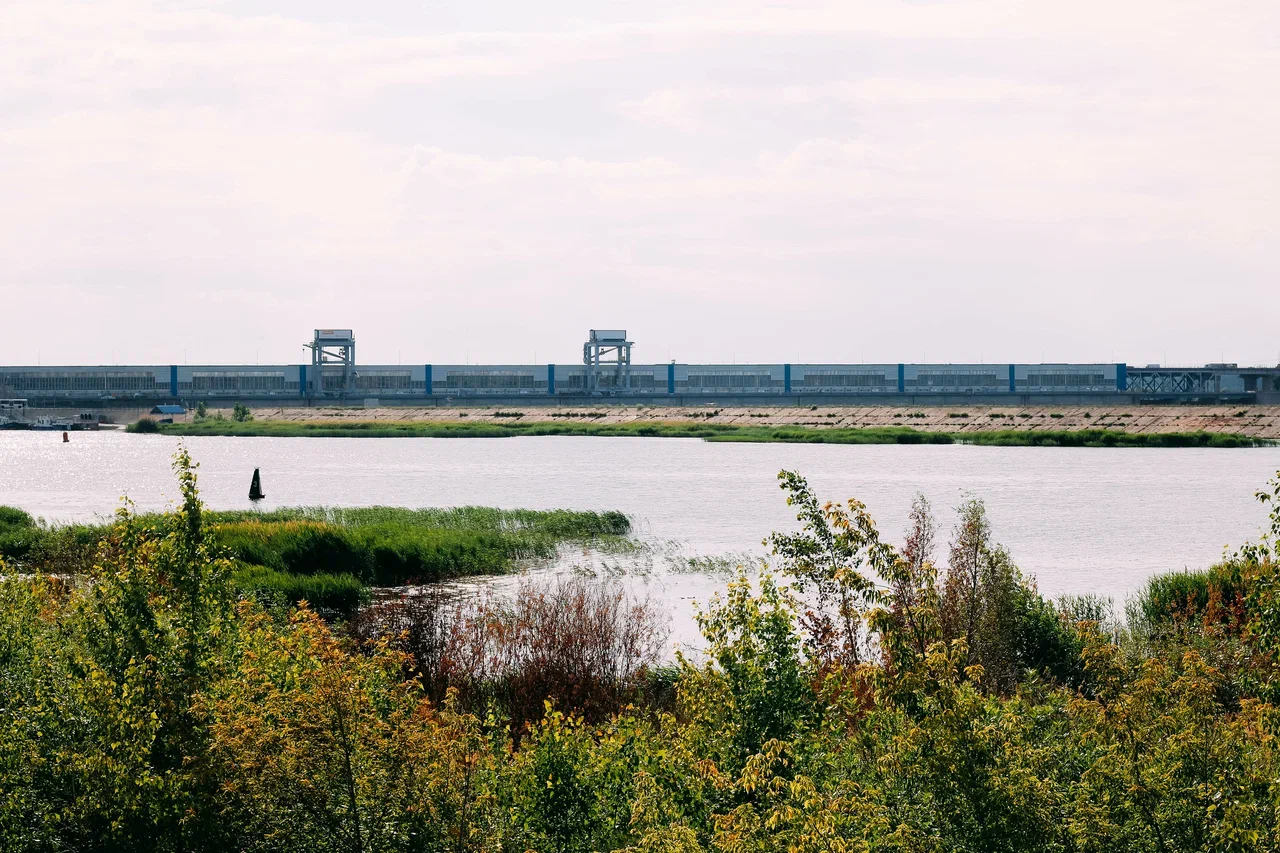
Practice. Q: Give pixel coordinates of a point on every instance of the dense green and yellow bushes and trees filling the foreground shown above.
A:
(894, 708)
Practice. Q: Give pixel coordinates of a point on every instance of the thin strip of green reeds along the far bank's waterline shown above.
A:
(711, 432)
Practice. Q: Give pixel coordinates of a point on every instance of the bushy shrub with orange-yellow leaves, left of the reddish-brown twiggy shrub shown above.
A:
(333, 751)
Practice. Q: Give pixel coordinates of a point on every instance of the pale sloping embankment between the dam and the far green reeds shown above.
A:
(1255, 422)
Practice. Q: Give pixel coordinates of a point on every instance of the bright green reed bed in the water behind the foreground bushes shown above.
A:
(332, 556)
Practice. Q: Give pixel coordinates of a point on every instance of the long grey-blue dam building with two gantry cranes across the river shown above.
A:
(609, 375)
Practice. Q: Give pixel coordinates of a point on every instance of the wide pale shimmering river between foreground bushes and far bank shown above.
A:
(1078, 519)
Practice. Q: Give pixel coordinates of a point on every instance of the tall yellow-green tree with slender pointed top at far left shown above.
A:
(122, 670)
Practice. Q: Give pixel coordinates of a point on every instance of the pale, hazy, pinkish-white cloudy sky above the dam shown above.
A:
(484, 181)
